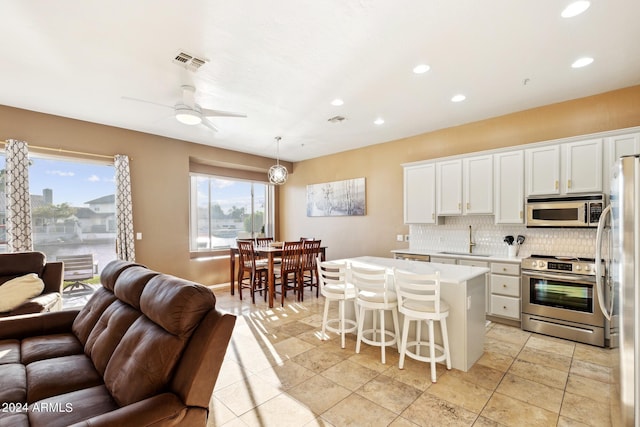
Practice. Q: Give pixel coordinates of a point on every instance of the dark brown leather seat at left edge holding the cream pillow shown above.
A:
(17, 264)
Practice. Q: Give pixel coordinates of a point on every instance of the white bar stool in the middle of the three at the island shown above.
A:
(373, 294)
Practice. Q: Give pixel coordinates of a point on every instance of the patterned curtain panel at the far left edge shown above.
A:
(18, 200)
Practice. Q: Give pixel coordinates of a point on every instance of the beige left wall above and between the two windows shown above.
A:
(160, 182)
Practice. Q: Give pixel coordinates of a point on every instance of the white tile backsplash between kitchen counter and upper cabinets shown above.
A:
(453, 235)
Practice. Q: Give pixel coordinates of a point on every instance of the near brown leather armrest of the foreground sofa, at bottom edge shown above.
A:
(159, 410)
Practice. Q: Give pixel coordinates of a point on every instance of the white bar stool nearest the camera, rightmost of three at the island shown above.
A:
(419, 301)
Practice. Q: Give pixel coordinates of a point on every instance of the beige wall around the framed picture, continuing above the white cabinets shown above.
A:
(374, 234)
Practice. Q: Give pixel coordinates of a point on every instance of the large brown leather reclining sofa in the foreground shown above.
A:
(145, 350)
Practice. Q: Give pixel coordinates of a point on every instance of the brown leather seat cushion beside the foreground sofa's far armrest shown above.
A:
(33, 349)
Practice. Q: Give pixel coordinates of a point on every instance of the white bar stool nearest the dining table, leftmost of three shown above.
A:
(335, 288)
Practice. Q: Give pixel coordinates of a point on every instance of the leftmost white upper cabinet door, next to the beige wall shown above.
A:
(419, 194)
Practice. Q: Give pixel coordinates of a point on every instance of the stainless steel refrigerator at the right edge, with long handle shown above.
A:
(623, 280)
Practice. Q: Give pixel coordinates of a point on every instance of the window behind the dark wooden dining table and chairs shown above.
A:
(225, 209)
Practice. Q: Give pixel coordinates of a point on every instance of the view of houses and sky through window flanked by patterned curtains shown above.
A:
(72, 208)
